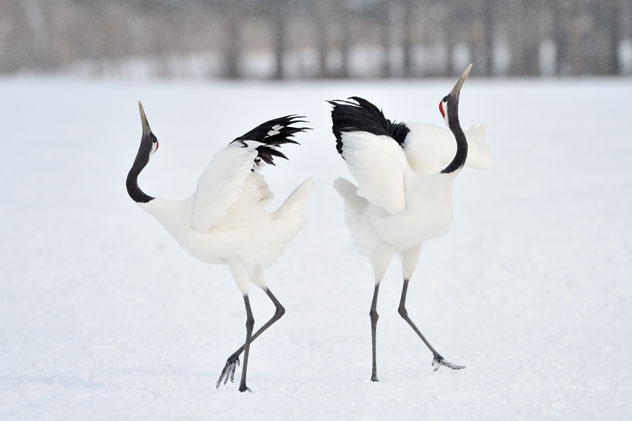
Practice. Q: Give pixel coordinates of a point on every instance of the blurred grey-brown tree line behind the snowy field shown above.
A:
(317, 38)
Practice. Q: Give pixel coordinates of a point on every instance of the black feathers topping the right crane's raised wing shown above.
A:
(359, 115)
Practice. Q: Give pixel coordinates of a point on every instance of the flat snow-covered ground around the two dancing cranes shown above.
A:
(103, 316)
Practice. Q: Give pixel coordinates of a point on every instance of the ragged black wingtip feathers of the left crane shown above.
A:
(283, 134)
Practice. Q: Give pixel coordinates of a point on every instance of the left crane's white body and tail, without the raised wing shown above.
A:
(247, 233)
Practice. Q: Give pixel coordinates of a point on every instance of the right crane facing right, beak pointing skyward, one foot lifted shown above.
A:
(405, 174)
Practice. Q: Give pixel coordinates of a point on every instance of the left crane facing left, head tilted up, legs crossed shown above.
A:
(224, 221)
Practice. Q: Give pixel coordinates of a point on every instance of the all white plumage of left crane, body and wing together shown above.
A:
(225, 220)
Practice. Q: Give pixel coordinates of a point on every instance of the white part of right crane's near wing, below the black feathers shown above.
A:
(379, 166)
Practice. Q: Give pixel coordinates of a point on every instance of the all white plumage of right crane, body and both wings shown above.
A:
(402, 198)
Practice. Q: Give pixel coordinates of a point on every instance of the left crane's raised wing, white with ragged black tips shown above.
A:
(222, 183)
